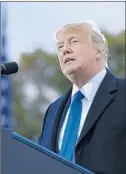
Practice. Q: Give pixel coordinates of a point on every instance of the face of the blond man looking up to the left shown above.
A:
(75, 52)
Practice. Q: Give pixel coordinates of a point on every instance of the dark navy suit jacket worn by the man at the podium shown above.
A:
(101, 147)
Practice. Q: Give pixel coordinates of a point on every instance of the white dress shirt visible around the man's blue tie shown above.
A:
(88, 90)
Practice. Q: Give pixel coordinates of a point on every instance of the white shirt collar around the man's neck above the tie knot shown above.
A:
(89, 89)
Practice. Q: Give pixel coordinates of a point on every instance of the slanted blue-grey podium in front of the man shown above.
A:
(22, 156)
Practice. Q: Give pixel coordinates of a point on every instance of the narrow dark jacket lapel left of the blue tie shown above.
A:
(58, 117)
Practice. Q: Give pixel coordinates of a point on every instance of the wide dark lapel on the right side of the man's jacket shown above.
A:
(102, 99)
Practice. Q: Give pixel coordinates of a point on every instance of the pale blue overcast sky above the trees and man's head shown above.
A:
(33, 24)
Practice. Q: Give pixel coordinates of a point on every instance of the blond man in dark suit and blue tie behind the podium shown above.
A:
(98, 139)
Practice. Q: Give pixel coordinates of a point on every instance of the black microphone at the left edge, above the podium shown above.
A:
(9, 68)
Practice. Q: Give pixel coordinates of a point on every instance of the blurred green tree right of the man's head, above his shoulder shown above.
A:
(116, 44)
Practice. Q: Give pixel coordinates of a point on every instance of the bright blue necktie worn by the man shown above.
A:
(72, 126)
